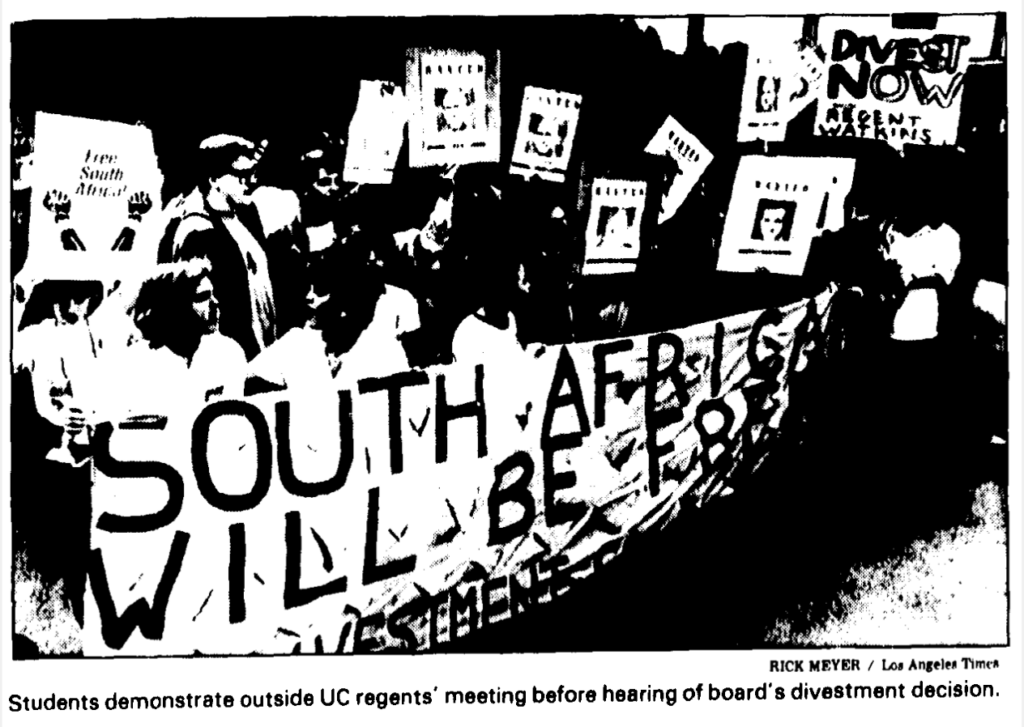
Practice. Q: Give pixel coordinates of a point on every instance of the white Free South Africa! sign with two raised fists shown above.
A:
(97, 199)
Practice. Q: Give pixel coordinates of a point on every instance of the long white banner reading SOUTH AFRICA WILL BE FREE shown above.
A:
(438, 503)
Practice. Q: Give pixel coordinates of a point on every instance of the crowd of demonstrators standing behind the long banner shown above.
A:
(272, 273)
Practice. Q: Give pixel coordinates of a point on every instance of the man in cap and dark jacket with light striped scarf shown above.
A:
(219, 217)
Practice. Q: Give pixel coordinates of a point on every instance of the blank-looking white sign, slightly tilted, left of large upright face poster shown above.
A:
(375, 135)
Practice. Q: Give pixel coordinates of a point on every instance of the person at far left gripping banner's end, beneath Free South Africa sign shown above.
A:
(53, 397)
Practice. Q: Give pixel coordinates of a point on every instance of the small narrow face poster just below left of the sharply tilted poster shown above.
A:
(614, 227)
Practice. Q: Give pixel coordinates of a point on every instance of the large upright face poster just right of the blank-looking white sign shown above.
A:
(454, 101)
